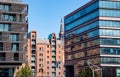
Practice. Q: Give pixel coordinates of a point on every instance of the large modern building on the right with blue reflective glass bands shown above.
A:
(92, 34)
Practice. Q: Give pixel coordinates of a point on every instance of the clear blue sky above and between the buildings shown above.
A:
(45, 15)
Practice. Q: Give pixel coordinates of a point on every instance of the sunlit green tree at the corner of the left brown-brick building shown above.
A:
(24, 71)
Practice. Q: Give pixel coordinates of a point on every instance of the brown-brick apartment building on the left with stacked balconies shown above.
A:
(13, 31)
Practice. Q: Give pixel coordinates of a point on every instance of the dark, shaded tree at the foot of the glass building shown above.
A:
(86, 73)
